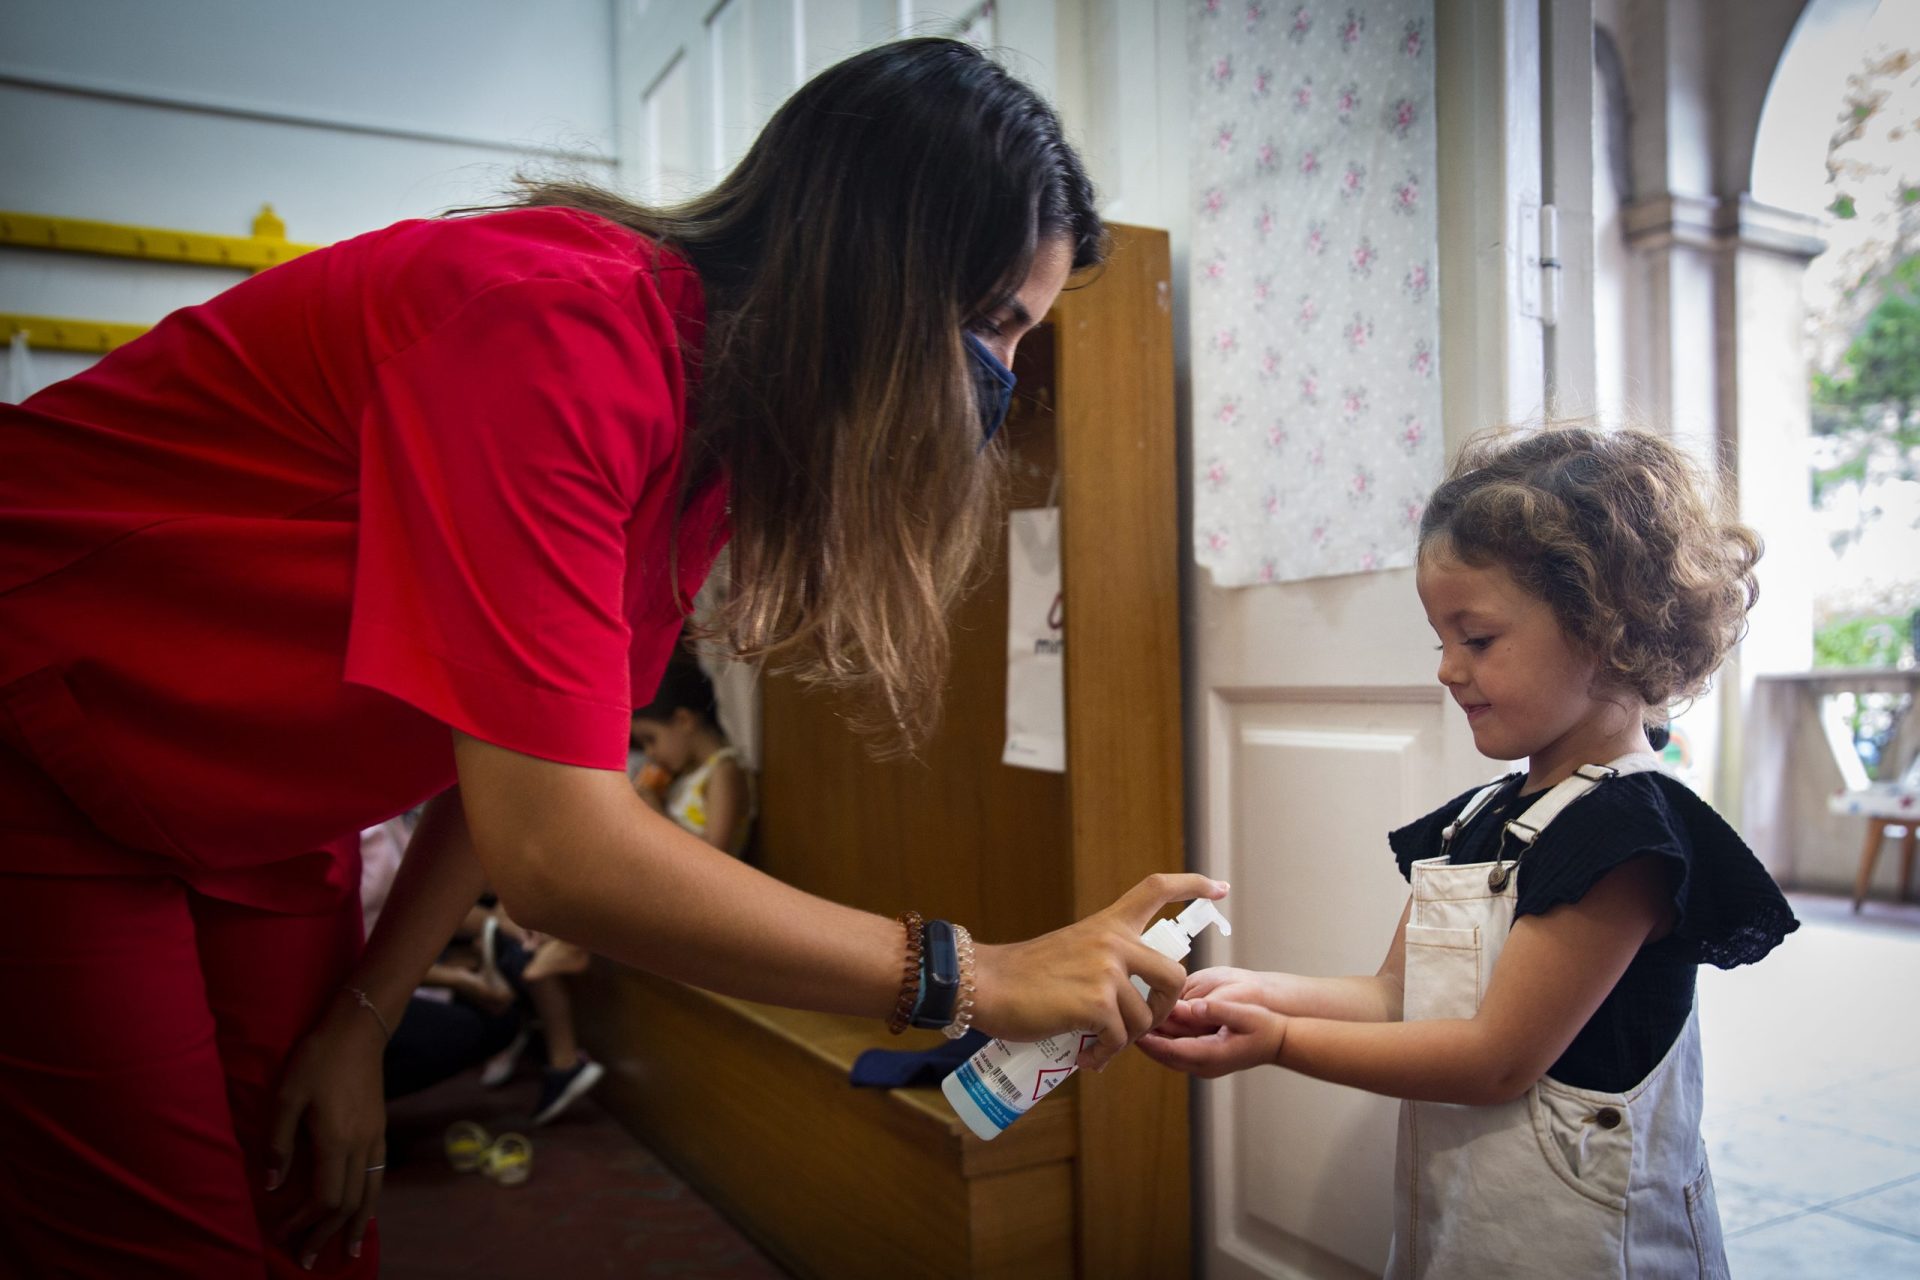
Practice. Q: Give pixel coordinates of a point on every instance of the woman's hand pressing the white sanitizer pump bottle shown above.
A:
(1076, 978)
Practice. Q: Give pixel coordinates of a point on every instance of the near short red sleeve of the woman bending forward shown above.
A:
(502, 462)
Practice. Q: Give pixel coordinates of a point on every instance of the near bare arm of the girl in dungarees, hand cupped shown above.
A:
(1550, 980)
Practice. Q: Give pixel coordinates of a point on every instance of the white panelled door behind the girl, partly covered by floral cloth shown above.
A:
(1314, 717)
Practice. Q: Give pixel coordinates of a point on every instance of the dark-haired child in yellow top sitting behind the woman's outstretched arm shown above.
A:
(700, 778)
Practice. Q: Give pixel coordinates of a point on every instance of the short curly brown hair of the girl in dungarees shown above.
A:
(1616, 533)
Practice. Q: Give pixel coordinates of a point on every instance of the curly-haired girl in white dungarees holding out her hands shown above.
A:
(1537, 1005)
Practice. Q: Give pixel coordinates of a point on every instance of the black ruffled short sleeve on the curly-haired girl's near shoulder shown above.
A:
(1725, 901)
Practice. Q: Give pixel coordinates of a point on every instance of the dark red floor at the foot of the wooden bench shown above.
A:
(598, 1204)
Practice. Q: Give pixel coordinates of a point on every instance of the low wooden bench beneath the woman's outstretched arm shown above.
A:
(754, 1108)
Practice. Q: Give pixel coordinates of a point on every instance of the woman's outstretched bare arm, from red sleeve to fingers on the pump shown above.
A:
(573, 853)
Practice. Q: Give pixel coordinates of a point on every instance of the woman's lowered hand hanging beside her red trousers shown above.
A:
(335, 1085)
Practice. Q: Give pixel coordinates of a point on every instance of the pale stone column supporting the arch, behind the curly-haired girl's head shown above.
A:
(1712, 304)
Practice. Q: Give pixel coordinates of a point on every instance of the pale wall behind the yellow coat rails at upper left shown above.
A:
(345, 116)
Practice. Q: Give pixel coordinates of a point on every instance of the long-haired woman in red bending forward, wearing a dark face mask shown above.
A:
(418, 517)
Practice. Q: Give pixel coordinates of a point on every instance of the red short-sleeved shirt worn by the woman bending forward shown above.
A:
(258, 561)
